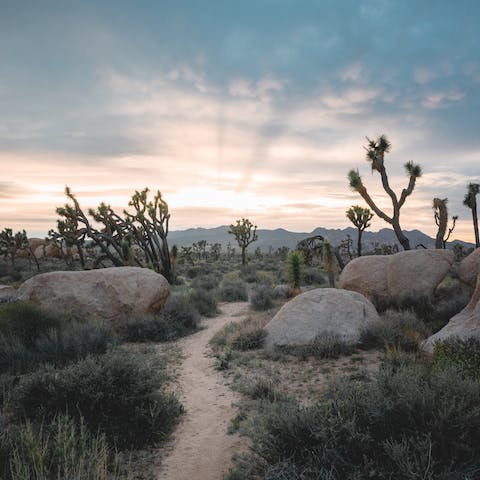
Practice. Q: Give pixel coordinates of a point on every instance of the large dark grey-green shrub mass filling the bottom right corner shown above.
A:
(408, 423)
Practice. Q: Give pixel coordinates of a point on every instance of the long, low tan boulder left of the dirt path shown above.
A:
(106, 293)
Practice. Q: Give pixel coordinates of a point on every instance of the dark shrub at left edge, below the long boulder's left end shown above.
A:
(26, 321)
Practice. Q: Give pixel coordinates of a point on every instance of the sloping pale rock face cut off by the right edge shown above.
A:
(463, 325)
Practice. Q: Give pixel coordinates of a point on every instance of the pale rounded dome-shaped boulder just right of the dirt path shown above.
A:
(320, 312)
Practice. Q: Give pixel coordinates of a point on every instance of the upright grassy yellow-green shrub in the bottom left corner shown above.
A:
(65, 449)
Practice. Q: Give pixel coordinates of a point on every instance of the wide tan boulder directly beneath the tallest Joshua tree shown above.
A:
(412, 273)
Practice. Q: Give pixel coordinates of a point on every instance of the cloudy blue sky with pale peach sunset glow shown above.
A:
(252, 108)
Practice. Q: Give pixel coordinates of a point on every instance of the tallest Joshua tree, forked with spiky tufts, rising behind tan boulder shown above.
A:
(376, 150)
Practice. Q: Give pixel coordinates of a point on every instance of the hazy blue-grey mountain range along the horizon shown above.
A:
(280, 237)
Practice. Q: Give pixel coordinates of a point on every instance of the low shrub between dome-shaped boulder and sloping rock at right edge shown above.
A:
(395, 328)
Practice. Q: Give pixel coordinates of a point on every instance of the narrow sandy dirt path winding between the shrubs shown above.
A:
(201, 448)
